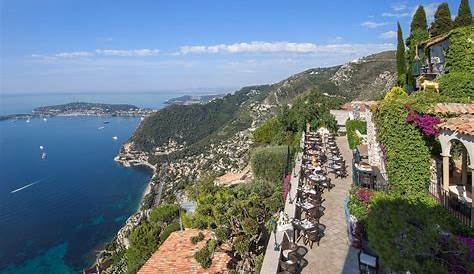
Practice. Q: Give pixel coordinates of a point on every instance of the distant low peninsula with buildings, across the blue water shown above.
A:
(82, 109)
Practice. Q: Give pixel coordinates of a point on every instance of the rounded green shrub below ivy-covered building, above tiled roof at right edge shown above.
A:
(458, 85)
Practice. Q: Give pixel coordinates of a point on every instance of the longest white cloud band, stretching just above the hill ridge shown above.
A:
(281, 47)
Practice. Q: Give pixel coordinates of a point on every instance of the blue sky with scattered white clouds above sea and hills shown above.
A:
(153, 45)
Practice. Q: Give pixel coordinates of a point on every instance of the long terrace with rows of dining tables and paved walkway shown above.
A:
(311, 235)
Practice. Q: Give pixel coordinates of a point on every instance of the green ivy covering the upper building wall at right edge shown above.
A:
(460, 56)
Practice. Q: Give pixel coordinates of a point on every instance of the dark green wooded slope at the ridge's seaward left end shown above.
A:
(194, 124)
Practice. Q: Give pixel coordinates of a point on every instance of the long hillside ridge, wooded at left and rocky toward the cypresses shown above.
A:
(197, 126)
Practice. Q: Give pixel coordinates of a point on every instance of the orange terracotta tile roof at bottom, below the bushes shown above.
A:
(176, 255)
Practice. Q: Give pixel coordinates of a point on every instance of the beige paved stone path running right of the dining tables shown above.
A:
(334, 254)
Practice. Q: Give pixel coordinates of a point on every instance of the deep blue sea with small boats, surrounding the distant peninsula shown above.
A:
(56, 212)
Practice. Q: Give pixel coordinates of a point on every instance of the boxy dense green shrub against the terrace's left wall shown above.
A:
(269, 163)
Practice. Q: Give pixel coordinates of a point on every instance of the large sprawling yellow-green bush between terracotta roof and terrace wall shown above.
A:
(238, 215)
